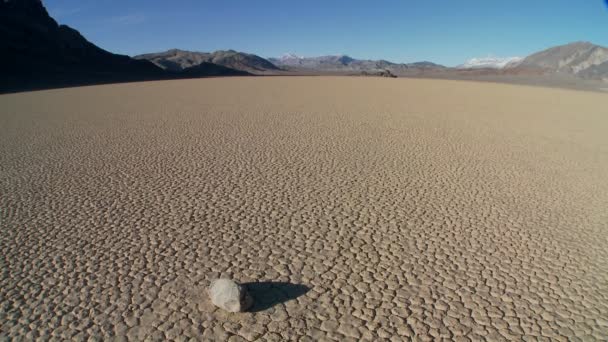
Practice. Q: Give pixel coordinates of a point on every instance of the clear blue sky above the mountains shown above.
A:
(443, 31)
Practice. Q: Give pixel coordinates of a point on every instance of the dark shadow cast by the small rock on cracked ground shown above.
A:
(267, 294)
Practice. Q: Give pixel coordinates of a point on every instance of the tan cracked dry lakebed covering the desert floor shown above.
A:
(353, 208)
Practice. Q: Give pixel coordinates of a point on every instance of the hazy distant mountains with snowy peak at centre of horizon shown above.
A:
(344, 63)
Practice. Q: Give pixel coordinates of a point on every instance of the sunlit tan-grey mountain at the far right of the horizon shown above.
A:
(583, 59)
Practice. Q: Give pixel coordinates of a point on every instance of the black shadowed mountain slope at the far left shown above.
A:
(35, 50)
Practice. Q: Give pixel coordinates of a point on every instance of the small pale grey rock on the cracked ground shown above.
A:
(229, 295)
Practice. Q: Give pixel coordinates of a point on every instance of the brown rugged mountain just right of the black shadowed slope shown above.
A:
(178, 60)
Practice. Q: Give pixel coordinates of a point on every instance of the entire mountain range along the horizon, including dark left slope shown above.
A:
(37, 52)
